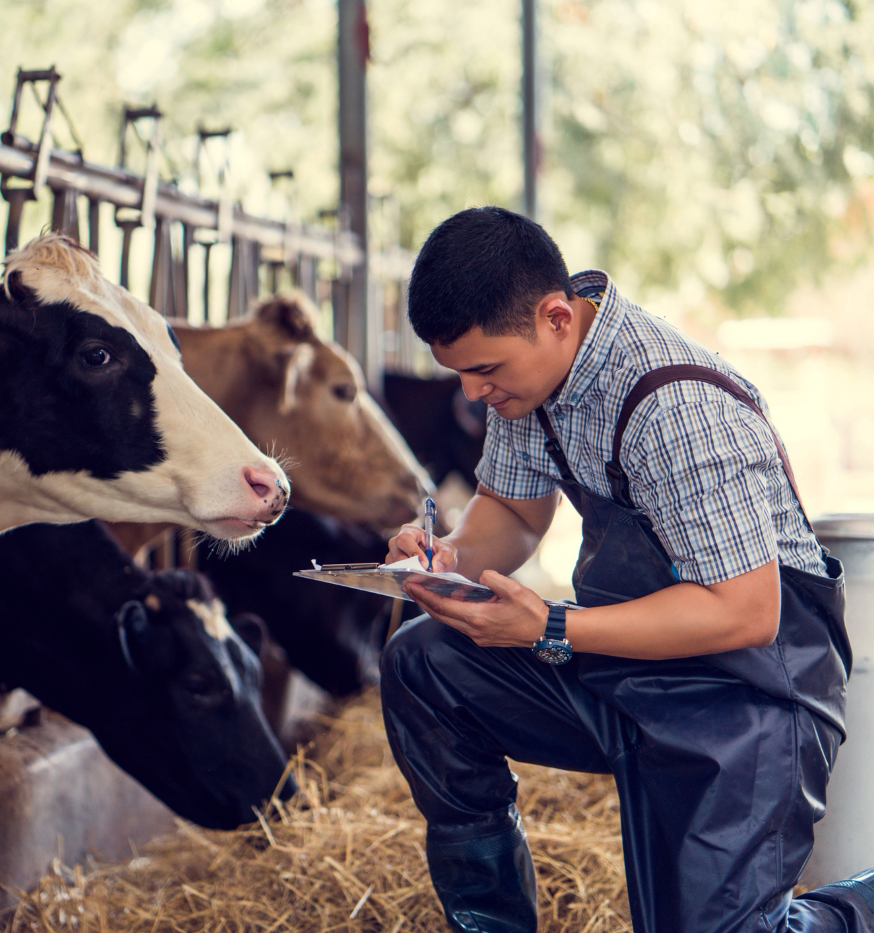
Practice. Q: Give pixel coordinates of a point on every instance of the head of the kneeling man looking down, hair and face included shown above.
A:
(491, 295)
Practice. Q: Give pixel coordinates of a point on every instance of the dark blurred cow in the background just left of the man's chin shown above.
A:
(444, 430)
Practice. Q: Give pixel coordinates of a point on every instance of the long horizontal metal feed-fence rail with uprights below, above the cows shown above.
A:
(310, 251)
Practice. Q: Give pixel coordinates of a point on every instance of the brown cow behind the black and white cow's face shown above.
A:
(297, 396)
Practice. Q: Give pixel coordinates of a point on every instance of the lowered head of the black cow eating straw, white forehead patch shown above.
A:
(194, 732)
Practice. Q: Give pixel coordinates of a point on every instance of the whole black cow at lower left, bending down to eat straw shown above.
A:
(147, 662)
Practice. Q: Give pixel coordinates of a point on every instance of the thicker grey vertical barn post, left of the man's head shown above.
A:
(353, 53)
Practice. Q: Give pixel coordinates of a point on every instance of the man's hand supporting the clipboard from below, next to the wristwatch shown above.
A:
(514, 618)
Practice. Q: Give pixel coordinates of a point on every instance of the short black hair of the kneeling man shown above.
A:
(484, 267)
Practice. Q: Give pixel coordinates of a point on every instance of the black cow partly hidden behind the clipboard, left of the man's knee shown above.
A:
(330, 633)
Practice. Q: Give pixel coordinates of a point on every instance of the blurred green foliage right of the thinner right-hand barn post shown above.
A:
(723, 145)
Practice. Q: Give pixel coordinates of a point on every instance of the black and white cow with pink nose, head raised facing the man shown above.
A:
(98, 418)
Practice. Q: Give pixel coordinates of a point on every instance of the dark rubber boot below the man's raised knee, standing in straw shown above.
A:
(483, 874)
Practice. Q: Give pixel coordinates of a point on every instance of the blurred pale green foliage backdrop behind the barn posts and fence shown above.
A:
(720, 148)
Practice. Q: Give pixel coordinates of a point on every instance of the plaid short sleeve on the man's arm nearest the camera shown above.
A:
(701, 471)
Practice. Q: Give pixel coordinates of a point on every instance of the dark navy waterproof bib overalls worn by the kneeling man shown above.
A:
(721, 762)
